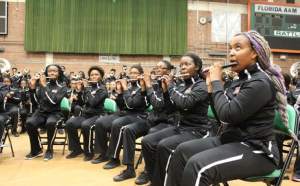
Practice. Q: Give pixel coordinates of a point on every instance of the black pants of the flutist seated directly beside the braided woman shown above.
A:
(157, 150)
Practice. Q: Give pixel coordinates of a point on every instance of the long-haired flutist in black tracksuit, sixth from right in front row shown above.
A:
(49, 95)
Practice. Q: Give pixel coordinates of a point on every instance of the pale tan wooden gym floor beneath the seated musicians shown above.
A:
(62, 172)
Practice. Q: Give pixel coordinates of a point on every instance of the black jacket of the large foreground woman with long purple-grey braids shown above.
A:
(247, 109)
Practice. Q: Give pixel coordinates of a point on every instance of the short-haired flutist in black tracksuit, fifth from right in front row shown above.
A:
(94, 96)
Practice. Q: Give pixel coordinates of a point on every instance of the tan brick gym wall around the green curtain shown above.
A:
(198, 41)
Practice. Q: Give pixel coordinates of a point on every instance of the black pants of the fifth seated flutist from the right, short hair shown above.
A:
(86, 124)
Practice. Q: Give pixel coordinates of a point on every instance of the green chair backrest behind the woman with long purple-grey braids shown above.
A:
(292, 121)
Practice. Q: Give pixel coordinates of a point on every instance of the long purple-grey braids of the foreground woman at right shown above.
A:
(262, 48)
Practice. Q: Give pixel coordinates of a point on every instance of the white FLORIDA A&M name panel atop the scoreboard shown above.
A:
(277, 9)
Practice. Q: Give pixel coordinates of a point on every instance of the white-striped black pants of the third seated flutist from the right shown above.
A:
(117, 138)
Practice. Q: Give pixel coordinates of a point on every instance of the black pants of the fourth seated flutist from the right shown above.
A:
(102, 129)
